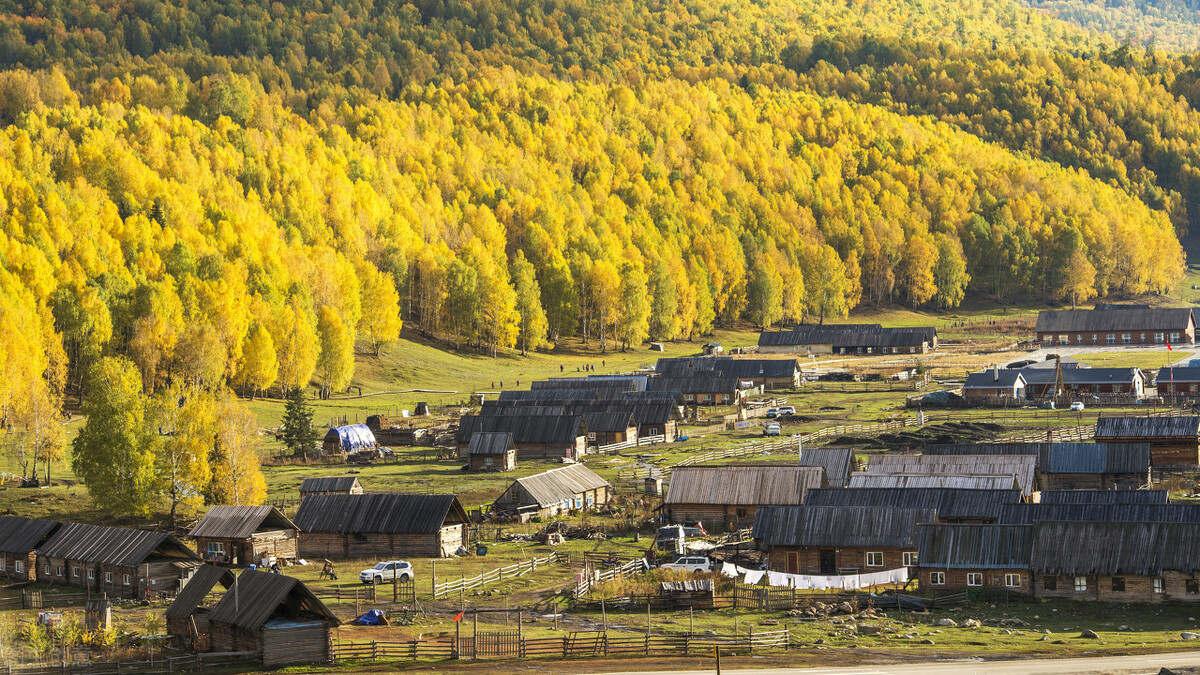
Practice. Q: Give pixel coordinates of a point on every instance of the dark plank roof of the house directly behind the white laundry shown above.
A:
(839, 527)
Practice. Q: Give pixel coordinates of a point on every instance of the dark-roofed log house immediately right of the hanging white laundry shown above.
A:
(956, 558)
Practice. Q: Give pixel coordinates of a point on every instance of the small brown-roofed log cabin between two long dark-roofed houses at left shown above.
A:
(245, 535)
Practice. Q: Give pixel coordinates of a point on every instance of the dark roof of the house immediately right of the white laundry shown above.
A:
(975, 547)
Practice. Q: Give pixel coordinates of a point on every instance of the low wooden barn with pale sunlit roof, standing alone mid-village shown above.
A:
(551, 493)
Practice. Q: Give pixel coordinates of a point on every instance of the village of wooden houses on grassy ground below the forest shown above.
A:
(823, 493)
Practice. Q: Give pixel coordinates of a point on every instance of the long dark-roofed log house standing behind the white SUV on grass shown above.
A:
(381, 527)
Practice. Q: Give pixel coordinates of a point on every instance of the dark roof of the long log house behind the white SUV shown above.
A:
(392, 513)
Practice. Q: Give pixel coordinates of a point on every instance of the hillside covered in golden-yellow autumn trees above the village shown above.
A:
(244, 194)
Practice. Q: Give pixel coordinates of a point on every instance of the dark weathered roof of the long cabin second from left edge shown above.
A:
(119, 547)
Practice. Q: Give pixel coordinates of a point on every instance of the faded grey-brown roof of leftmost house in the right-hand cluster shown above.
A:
(757, 485)
